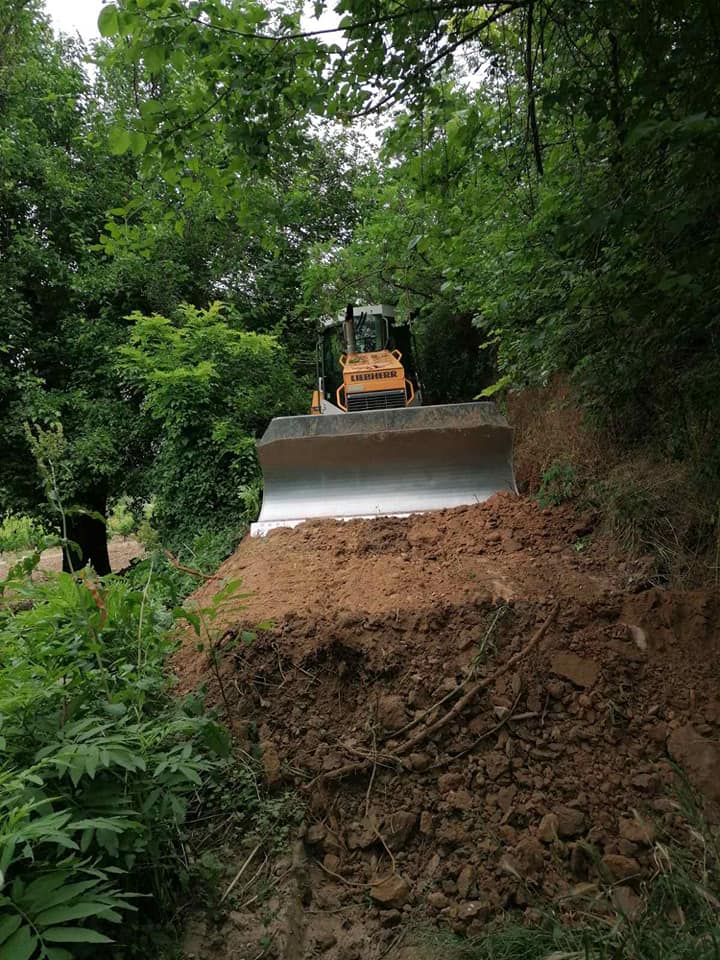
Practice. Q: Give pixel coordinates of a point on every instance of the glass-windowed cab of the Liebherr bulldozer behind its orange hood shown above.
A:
(375, 330)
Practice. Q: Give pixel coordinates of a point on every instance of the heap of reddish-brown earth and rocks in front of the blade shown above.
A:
(552, 781)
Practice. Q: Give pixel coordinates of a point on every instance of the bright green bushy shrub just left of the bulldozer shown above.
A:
(211, 386)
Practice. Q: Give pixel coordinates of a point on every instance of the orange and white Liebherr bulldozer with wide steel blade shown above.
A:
(369, 447)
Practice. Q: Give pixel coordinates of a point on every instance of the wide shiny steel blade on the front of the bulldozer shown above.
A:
(382, 463)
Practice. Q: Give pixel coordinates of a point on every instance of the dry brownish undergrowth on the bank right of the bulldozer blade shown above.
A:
(656, 504)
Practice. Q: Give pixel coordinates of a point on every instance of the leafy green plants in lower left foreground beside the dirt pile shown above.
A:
(101, 763)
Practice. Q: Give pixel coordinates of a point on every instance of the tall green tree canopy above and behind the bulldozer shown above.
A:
(532, 182)
